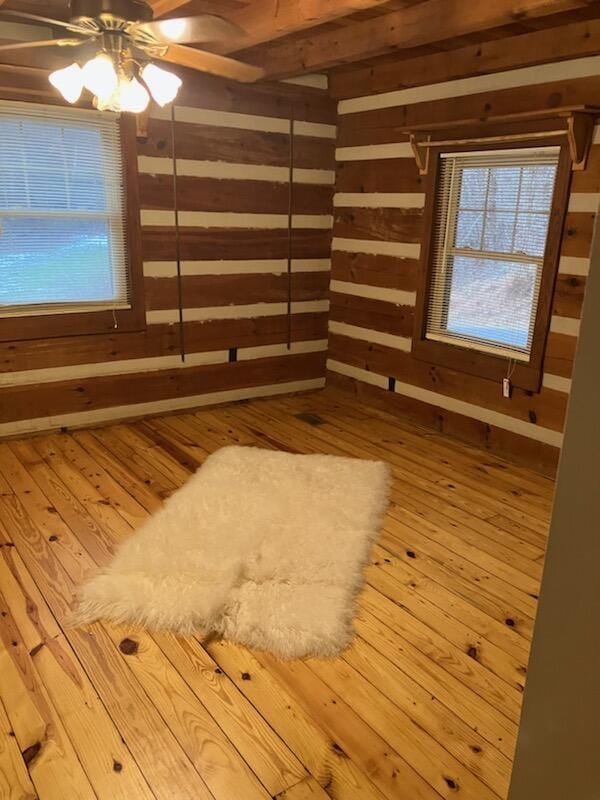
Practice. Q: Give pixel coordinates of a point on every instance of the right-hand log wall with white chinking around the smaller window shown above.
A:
(378, 219)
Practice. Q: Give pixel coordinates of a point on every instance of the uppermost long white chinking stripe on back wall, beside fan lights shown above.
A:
(249, 122)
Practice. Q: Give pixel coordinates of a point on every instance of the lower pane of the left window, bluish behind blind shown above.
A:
(55, 260)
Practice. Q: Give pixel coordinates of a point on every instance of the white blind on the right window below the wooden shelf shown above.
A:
(491, 225)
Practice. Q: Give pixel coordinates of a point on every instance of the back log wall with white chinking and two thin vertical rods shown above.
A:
(232, 146)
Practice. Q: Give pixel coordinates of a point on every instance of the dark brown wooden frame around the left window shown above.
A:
(121, 320)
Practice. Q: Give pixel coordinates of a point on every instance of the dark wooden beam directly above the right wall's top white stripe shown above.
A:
(552, 44)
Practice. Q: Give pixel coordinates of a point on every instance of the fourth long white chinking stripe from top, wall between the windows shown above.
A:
(275, 266)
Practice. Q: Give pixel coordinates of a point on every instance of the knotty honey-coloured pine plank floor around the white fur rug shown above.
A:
(425, 703)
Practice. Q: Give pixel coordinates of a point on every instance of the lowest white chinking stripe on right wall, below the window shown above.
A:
(487, 416)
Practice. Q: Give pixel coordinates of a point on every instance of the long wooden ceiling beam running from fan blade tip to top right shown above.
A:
(421, 24)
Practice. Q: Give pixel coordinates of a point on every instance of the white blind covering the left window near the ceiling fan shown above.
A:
(62, 211)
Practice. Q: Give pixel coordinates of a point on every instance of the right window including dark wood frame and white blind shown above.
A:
(491, 260)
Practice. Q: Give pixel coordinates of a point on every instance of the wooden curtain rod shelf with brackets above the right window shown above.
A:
(579, 129)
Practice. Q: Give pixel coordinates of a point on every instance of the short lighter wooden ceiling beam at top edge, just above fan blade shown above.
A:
(265, 21)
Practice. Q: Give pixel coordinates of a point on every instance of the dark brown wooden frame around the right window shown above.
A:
(524, 374)
